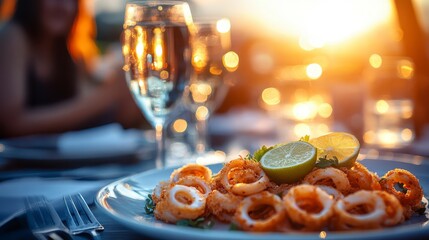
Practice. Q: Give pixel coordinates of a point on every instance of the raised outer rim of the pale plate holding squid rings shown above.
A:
(151, 229)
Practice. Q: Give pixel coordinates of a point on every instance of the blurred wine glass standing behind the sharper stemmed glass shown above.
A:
(211, 61)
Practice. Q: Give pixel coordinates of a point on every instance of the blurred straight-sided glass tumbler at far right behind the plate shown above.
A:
(388, 106)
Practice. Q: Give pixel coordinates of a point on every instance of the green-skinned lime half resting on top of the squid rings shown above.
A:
(290, 162)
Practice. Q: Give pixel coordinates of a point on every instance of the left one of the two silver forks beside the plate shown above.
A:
(43, 220)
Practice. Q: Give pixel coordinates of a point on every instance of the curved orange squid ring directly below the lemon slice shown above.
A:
(329, 176)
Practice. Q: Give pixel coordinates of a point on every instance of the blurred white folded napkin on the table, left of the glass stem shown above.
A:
(108, 139)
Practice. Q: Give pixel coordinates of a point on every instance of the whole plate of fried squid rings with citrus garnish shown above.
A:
(367, 199)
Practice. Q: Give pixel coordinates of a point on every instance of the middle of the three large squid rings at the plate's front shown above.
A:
(309, 206)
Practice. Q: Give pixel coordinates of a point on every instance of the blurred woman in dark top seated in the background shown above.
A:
(46, 53)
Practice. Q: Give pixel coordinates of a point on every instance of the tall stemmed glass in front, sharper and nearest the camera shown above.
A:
(156, 49)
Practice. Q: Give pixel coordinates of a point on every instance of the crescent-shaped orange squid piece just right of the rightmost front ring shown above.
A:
(394, 210)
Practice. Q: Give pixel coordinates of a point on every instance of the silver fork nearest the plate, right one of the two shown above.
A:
(80, 219)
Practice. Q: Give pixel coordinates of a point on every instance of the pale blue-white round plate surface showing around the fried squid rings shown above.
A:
(124, 201)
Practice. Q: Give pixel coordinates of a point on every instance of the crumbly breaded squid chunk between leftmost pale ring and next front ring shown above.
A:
(223, 205)
